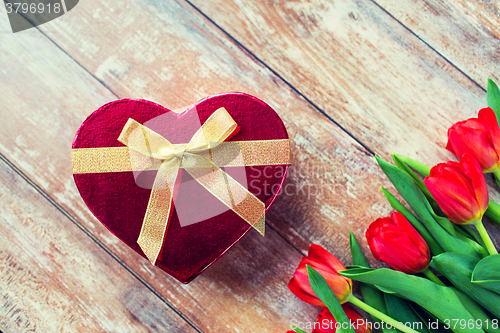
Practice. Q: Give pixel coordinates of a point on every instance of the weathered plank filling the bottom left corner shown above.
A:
(56, 279)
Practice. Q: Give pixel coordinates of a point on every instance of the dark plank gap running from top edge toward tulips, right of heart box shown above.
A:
(368, 151)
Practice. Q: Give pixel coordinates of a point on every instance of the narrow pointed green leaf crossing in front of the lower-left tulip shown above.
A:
(323, 291)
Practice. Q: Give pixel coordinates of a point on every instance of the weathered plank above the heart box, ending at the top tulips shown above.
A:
(362, 67)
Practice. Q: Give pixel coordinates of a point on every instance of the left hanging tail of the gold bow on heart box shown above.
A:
(157, 217)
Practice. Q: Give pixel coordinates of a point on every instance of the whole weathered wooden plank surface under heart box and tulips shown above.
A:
(348, 78)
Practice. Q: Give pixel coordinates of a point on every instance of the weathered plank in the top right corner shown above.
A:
(467, 33)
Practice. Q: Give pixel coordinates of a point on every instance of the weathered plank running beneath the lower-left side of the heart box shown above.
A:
(248, 283)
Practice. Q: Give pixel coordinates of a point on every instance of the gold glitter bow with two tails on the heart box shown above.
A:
(147, 147)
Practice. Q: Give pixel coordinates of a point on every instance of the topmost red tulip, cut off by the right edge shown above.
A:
(479, 137)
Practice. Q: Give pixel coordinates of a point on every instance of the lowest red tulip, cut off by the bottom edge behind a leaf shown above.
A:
(326, 322)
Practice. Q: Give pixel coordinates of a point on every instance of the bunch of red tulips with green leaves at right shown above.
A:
(445, 274)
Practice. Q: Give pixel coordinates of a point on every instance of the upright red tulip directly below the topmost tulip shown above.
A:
(459, 189)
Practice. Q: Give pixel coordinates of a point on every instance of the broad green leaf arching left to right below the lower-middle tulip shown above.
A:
(438, 300)
